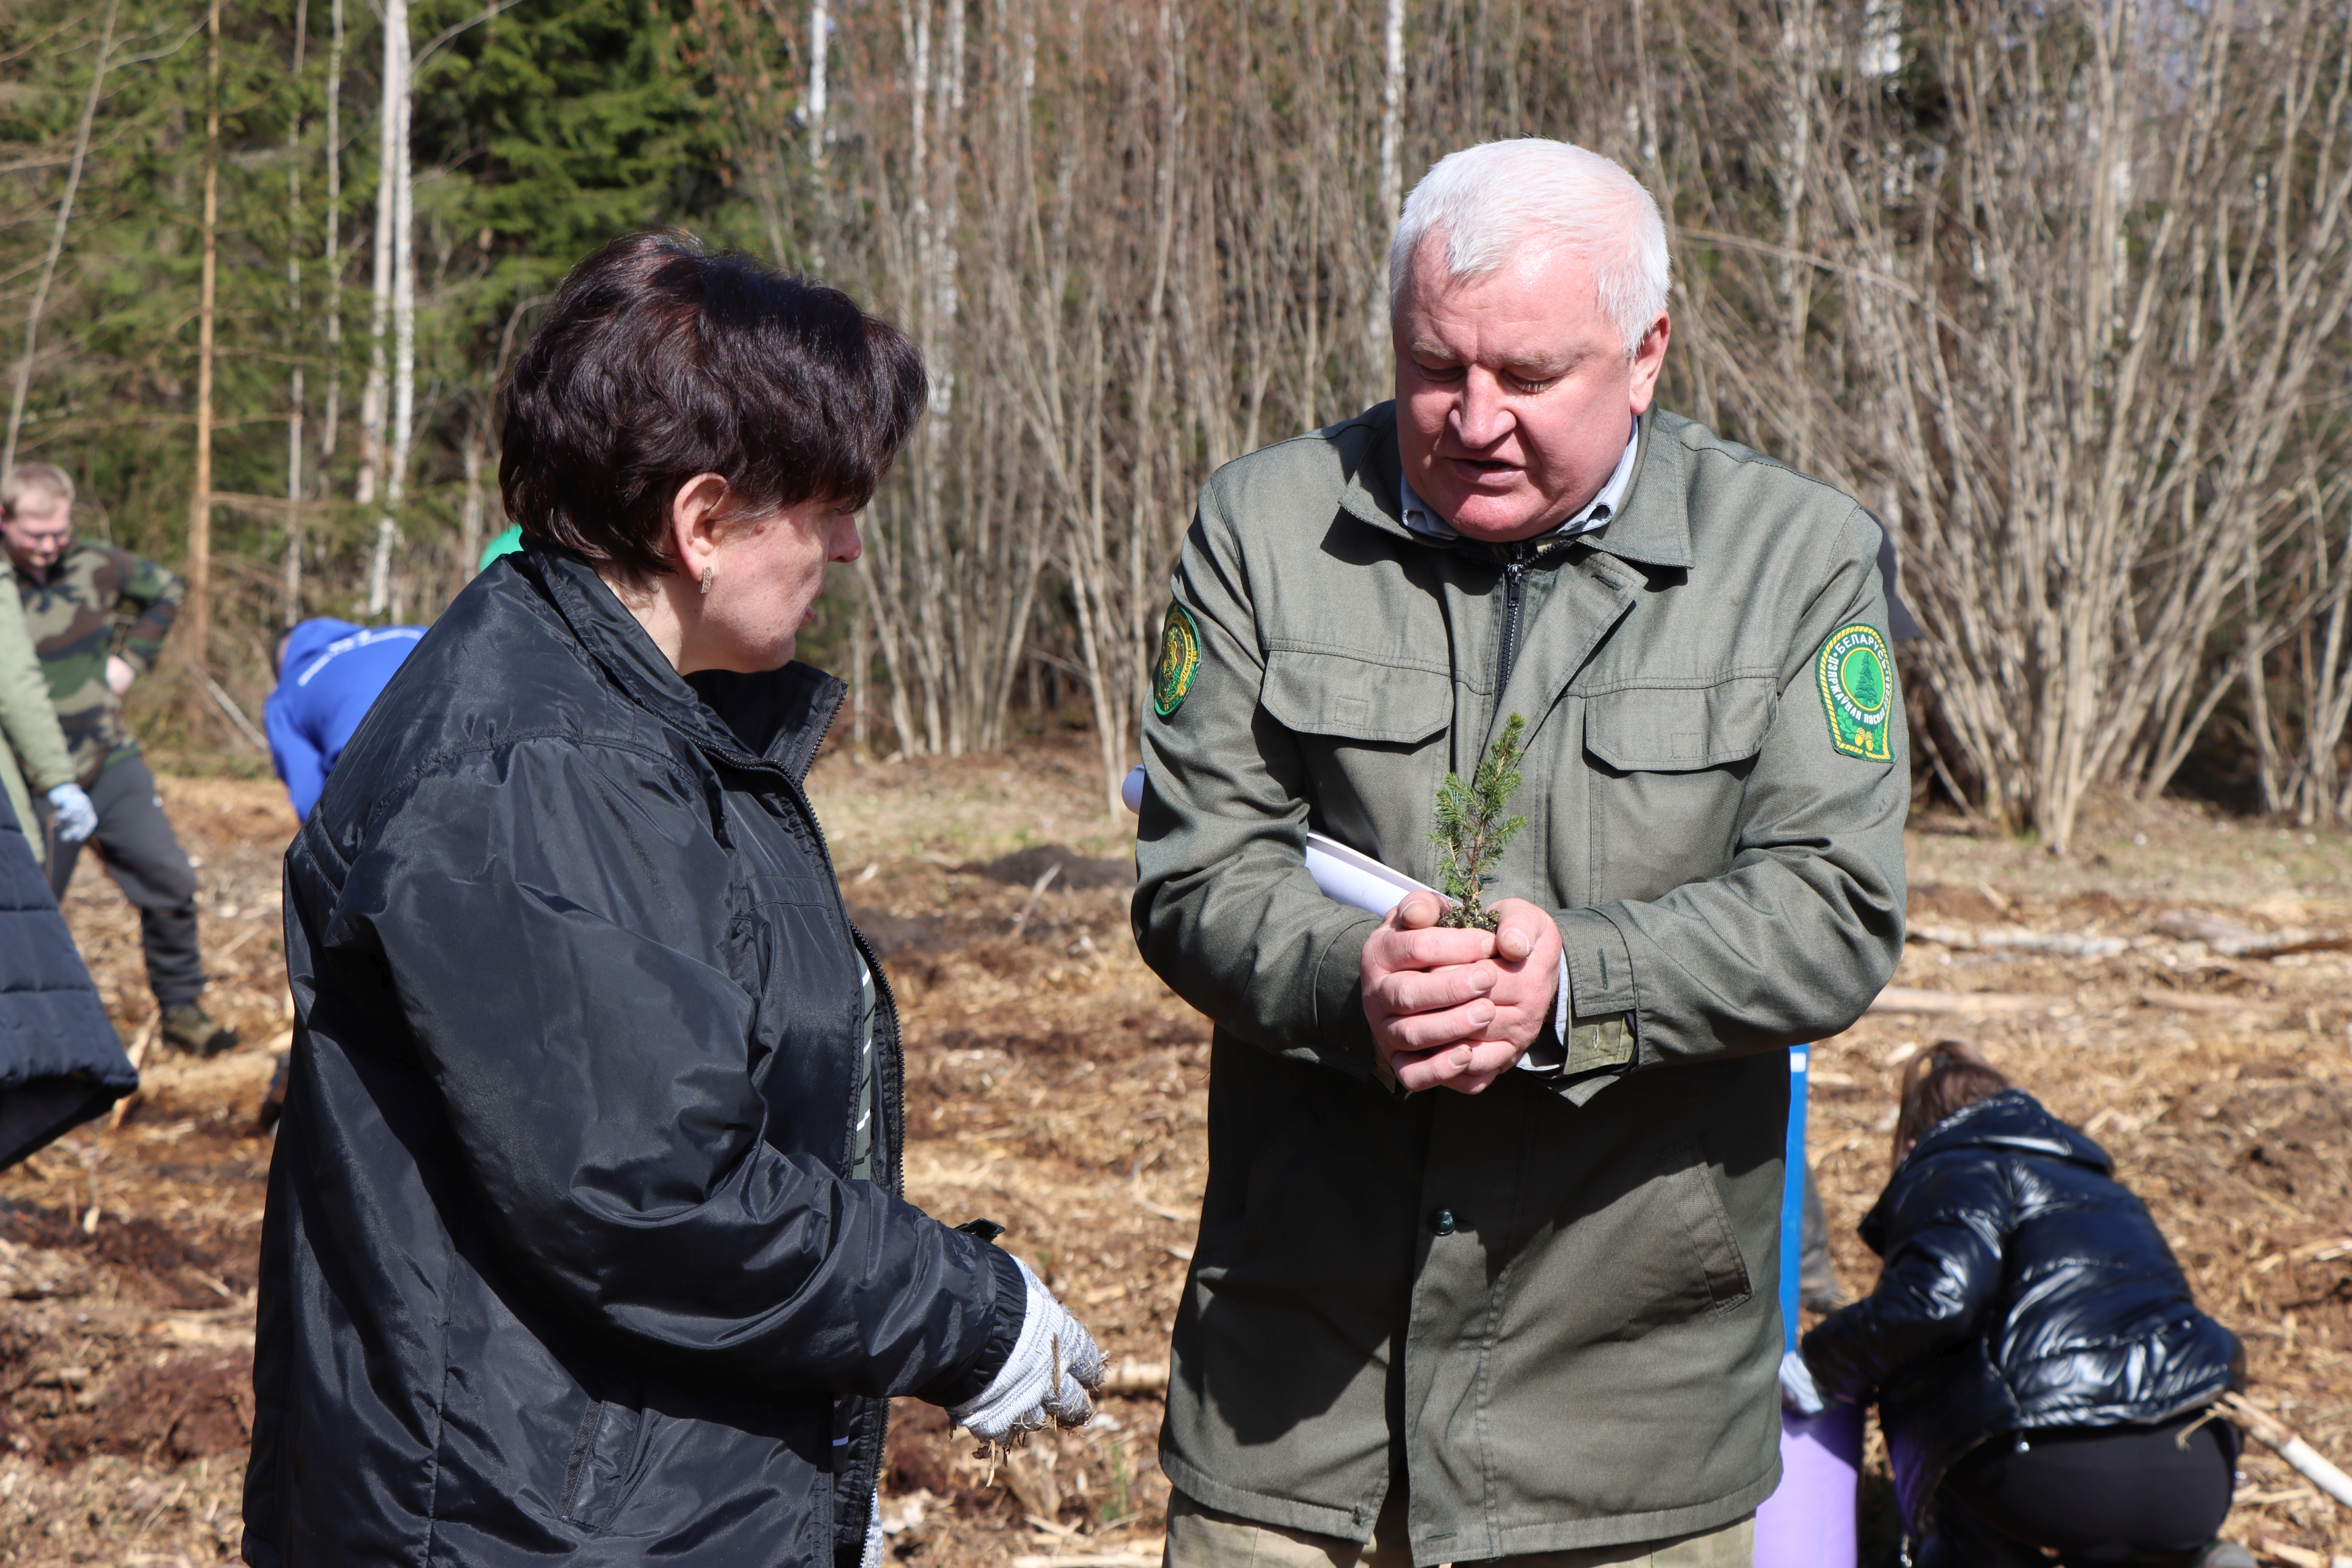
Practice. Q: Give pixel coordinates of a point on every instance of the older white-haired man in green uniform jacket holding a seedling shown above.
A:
(1490, 1249)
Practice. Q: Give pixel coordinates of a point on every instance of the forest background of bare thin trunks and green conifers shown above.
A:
(2057, 288)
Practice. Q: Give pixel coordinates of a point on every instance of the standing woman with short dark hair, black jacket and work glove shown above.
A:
(584, 1233)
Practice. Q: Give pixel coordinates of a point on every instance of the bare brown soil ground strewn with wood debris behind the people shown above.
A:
(1057, 1087)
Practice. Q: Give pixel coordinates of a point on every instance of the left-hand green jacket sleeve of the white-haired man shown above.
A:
(1227, 911)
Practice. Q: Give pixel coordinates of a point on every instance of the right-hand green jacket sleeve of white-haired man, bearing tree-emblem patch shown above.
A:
(1805, 927)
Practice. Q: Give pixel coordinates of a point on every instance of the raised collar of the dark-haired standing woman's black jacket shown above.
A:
(770, 721)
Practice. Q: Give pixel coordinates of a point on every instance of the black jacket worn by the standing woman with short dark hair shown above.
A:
(561, 1261)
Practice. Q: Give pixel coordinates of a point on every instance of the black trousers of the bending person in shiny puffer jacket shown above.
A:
(2099, 1494)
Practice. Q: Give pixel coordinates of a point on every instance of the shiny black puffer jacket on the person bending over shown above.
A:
(2024, 1289)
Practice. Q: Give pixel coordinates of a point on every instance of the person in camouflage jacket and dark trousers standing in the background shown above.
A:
(74, 594)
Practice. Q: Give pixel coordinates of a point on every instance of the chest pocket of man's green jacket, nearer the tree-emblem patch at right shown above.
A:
(1671, 768)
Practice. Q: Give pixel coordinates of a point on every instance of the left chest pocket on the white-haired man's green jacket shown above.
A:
(1375, 744)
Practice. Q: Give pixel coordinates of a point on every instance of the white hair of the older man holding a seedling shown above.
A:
(1495, 199)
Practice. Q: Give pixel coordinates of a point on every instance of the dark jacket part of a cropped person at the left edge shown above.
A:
(60, 1059)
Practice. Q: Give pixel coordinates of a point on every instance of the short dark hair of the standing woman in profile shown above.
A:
(660, 363)
